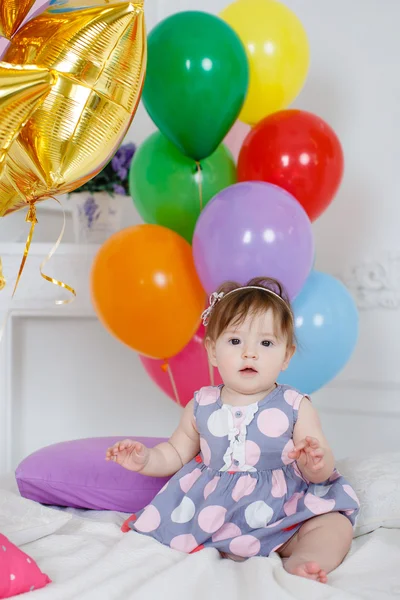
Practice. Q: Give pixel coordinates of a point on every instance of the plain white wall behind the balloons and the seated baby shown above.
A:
(354, 84)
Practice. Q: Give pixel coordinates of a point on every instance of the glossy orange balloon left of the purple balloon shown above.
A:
(146, 291)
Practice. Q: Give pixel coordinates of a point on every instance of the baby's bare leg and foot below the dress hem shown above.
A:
(318, 547)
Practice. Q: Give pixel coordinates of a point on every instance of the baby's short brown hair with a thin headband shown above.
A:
(253, 298)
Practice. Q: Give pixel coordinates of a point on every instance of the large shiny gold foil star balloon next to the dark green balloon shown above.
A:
(98, 52)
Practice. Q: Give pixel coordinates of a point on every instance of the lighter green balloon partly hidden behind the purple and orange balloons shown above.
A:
(169, 188)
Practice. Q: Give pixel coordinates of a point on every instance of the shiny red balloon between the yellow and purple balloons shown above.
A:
(297, 151)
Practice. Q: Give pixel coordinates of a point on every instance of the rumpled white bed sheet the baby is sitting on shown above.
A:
(91, 559)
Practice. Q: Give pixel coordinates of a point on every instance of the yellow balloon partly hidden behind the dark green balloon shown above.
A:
(278, 53)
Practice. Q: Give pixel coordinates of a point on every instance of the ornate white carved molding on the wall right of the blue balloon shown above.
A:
(375, 283)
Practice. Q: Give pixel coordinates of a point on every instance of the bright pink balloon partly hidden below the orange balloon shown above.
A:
(190, 370)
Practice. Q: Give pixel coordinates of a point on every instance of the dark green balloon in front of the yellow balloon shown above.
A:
(196, 82)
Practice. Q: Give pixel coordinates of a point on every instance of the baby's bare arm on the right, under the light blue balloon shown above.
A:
(311, 449)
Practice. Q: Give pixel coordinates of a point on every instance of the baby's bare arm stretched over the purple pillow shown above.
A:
(164, 459)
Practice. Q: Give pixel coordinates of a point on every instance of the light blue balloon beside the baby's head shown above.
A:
(326, 321)
